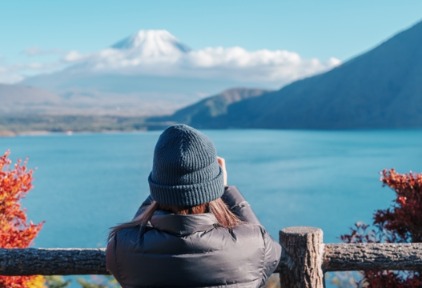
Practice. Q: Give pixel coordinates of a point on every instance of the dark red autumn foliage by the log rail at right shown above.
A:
(400, 223)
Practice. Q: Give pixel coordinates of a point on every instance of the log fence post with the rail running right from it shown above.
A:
(306, 258)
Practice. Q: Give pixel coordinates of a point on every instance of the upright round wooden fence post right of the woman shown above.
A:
(302, 253)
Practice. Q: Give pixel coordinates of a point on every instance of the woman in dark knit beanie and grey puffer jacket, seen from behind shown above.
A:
(193, 230)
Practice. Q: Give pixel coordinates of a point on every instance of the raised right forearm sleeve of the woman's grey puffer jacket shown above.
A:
(239, 206)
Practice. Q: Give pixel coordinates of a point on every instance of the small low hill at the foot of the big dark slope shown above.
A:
(212, 111)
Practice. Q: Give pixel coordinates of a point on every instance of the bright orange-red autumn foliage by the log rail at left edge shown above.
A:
(15, 231)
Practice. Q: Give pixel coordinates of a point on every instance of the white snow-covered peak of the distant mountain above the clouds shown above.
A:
(152, 43)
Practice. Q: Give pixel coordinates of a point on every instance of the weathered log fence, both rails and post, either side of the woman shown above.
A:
(304, 261)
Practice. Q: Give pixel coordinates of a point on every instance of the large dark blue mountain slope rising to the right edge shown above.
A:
(381, 88)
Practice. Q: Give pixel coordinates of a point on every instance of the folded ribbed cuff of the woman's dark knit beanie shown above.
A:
(188, 195)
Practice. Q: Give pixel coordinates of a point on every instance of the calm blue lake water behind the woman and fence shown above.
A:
(86, 183)
